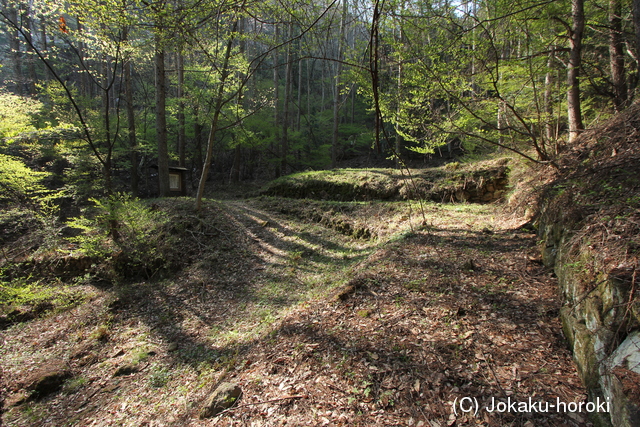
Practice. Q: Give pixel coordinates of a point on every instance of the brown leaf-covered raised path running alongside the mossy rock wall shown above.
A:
(459, 309)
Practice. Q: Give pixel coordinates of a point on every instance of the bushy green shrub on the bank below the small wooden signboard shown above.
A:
(126, 233)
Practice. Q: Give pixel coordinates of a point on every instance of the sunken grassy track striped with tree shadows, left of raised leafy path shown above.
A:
(255, 273)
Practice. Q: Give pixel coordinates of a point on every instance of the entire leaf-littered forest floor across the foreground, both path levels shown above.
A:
(325, 313)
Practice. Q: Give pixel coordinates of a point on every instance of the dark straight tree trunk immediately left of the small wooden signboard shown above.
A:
(161, 119)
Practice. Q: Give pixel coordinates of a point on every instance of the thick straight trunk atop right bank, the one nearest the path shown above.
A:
(573, 73)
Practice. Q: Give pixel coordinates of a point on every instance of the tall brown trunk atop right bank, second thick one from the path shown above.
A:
(616, 55)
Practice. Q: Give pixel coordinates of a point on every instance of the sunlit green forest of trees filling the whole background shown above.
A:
(247, 90)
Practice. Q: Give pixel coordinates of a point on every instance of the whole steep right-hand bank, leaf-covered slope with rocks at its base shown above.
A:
(590, 227)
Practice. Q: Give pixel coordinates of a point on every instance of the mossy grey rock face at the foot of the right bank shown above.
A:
(600, 319)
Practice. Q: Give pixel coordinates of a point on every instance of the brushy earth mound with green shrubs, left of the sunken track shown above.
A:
(46, 268)
